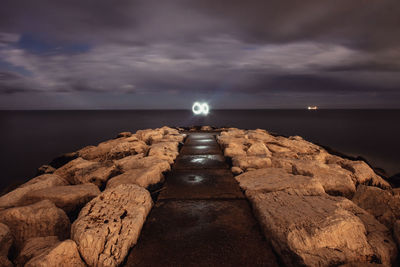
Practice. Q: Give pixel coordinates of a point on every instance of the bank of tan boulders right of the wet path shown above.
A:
(316, 209)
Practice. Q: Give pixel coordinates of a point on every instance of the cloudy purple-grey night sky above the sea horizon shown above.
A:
(148, 54)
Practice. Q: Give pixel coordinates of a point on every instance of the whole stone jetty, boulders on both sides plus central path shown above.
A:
(201, 197)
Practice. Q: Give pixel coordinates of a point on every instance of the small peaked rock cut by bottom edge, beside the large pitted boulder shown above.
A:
(63, 254)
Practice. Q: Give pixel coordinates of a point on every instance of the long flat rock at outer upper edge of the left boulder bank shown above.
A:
(113, 149)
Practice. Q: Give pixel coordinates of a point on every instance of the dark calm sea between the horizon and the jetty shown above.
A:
(29, 139)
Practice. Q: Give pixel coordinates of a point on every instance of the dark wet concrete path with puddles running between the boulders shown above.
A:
(201, 217)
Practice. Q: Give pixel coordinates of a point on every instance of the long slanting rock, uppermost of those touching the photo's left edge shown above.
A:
(12, 198)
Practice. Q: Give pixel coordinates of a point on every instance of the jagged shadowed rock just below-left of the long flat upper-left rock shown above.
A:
(81, 171)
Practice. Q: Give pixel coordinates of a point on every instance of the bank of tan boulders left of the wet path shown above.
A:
(87, 207)
